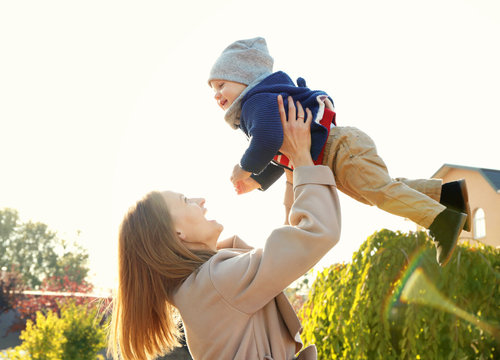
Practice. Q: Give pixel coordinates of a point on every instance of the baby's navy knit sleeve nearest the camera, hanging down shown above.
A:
(262, 120)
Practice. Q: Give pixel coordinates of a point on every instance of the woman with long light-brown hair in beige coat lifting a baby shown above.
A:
(229, 296)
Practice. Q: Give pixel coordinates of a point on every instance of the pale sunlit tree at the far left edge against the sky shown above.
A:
(35, 252)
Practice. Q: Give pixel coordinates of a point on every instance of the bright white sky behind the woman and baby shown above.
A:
(103, 101)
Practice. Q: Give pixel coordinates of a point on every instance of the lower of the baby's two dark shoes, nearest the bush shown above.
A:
(445, 230)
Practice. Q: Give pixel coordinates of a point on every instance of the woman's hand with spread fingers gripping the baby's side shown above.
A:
(296, 133)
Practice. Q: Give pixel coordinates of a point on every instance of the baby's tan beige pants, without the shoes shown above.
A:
(362, 174)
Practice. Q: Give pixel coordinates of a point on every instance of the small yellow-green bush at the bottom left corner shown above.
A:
(75, 335)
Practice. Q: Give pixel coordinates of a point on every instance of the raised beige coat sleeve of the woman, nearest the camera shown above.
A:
(250, 280)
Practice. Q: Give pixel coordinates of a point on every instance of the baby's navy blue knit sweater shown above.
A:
(260, 121)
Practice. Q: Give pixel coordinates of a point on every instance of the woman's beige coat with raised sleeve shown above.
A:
(233, 306)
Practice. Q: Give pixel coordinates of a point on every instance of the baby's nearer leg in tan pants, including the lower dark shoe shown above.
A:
(362, 174)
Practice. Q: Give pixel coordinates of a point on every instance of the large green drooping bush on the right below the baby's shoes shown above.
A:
(355, 311)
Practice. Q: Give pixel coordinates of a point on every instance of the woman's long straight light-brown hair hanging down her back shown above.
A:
(152, 263)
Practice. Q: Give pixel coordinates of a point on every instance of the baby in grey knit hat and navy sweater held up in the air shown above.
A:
(247, 89)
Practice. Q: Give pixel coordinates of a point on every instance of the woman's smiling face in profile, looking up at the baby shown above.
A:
(192, 227)
